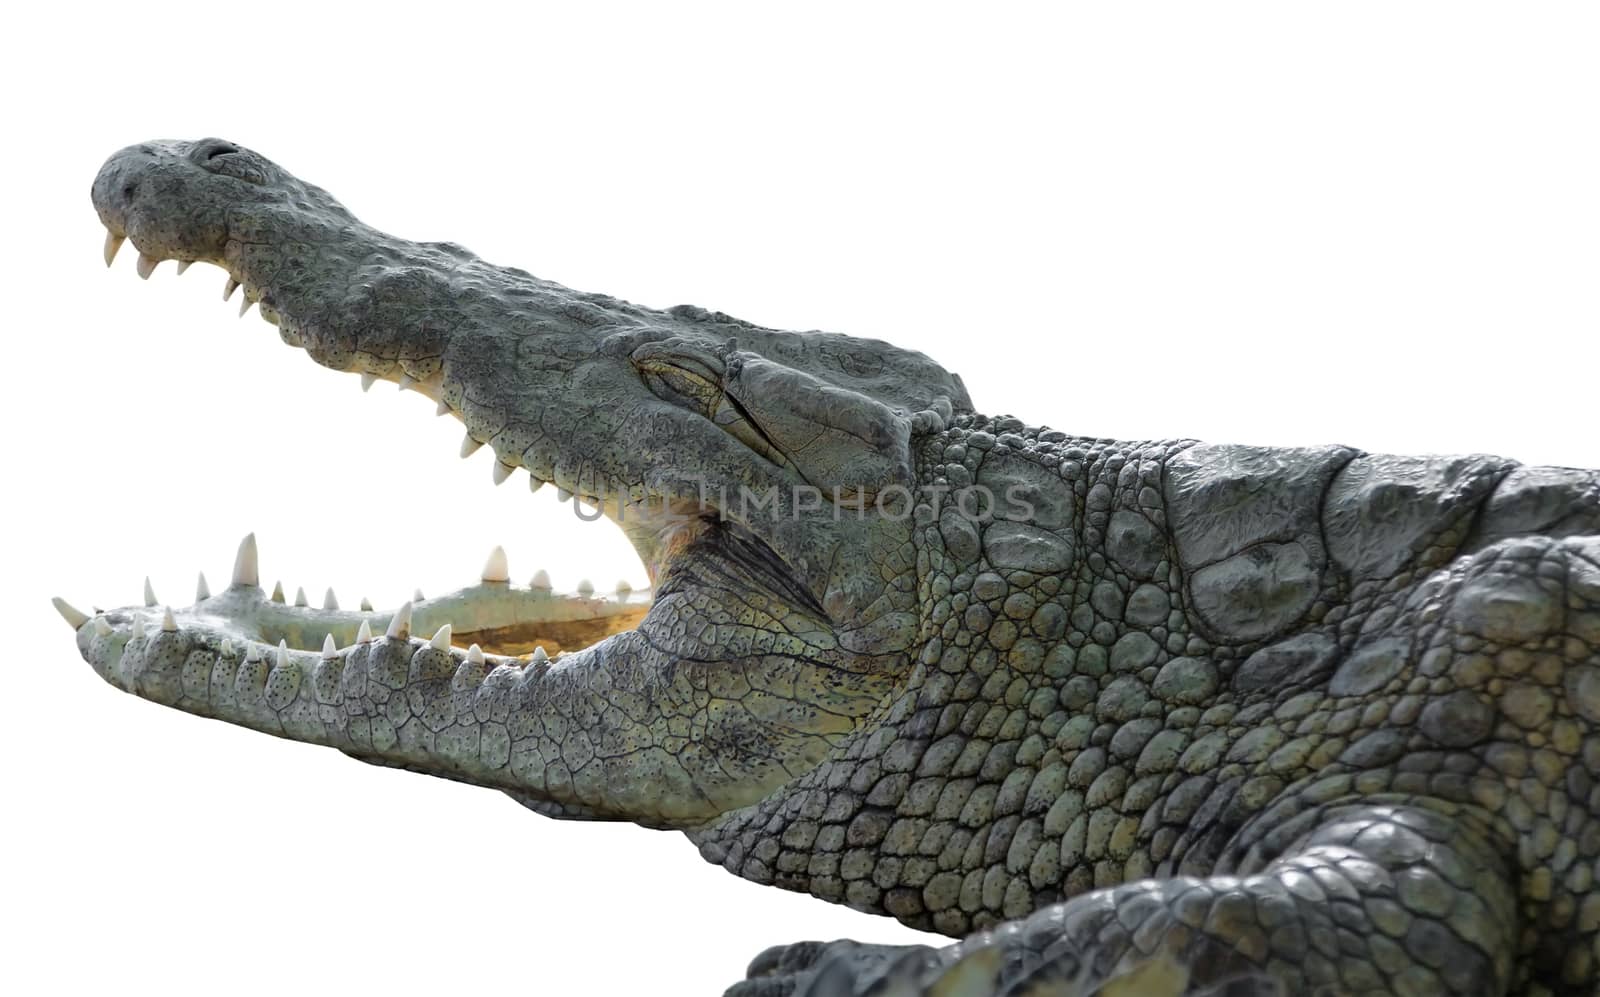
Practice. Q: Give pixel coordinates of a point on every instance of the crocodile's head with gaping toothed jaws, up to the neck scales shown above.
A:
(767, 481)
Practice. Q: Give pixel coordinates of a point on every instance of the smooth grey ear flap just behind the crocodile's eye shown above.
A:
(839, 441)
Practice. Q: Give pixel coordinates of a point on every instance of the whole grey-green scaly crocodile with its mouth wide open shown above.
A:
(1118, 718)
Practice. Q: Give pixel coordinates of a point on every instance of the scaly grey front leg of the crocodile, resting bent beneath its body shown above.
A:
(1380, 899)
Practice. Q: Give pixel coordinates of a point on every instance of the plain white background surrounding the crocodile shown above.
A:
(1374, 225)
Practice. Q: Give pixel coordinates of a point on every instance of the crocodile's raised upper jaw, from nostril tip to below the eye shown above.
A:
(538, 374)
